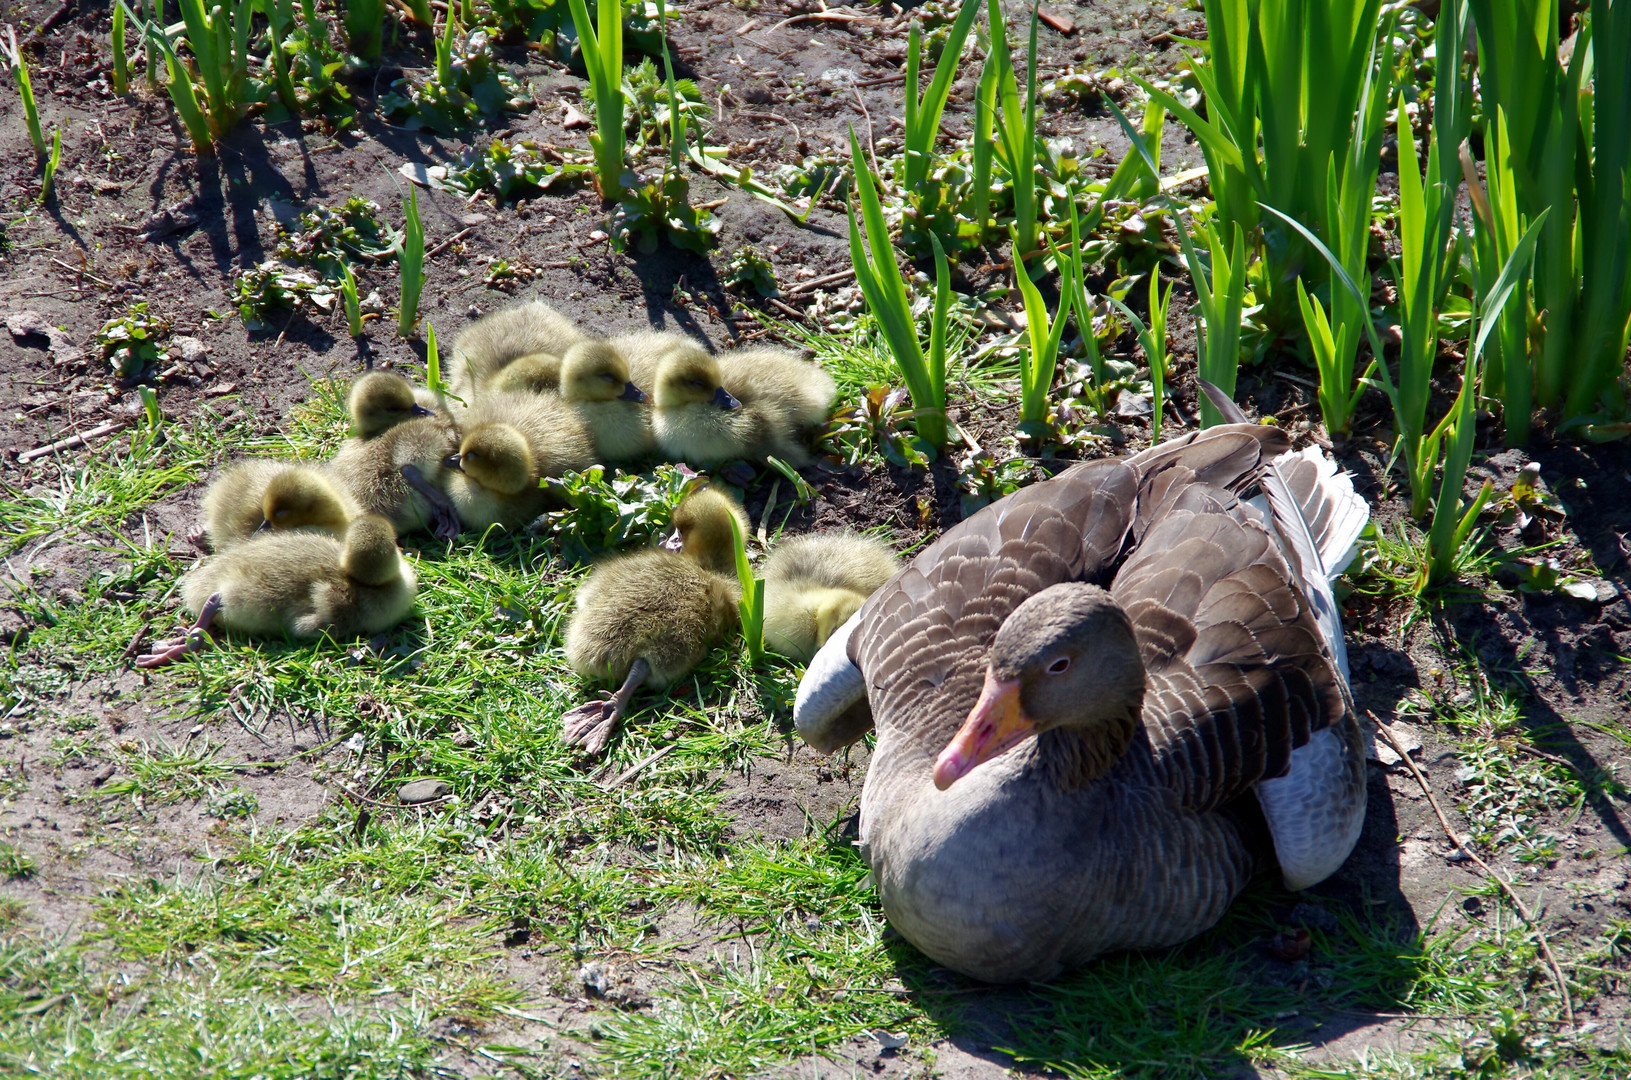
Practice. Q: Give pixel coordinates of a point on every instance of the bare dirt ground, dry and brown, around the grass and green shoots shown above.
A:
(784, 89)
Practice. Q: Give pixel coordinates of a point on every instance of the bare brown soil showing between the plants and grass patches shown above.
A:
(81, 260)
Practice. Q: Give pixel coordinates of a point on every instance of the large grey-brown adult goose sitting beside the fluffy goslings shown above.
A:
(1077, 689)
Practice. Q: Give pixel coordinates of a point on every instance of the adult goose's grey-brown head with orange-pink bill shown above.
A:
(1066, 660)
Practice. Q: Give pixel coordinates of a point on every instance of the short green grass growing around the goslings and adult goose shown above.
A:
(330, 949)
